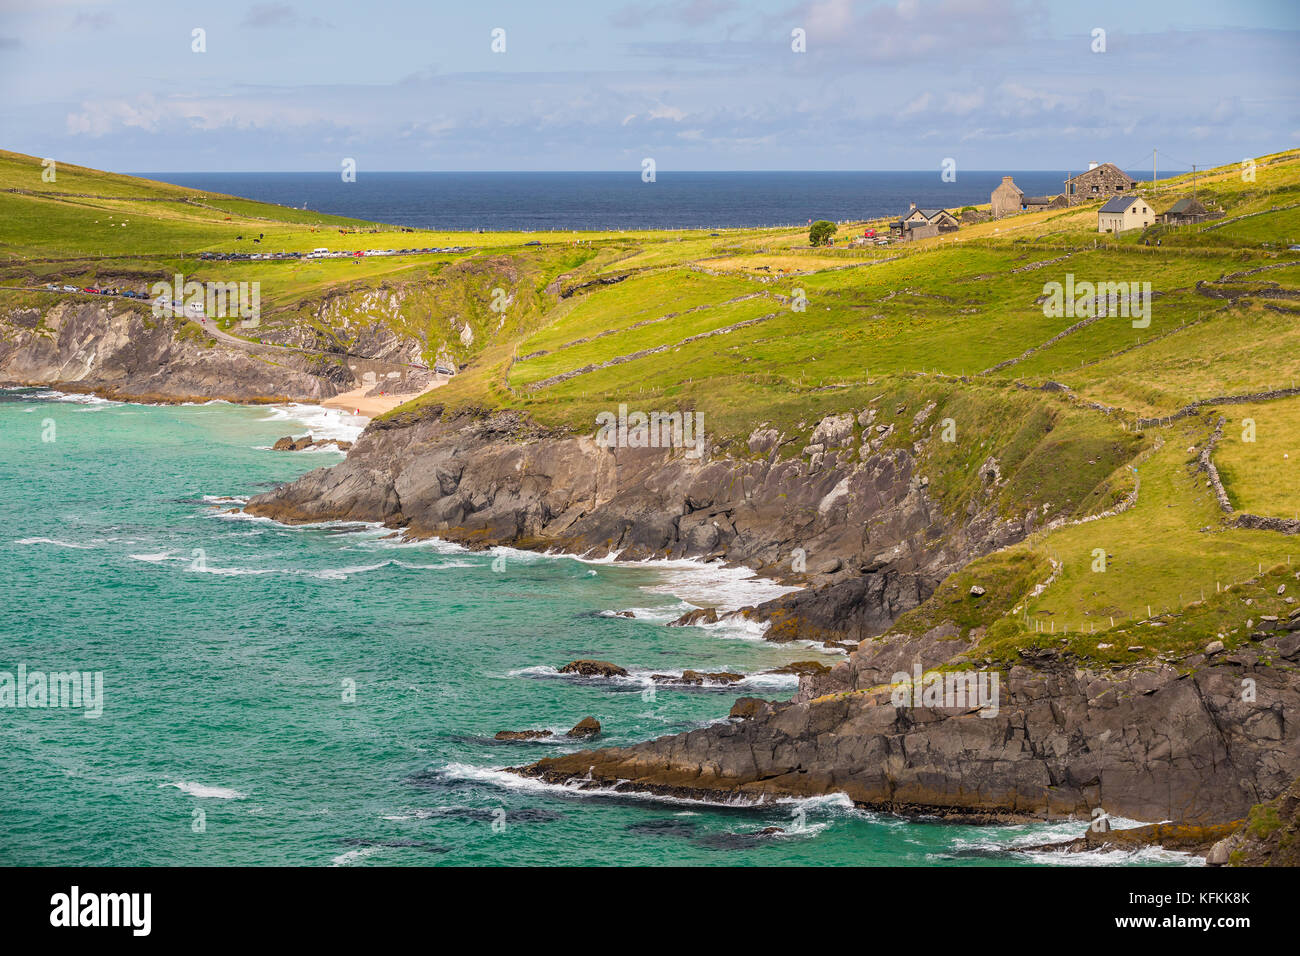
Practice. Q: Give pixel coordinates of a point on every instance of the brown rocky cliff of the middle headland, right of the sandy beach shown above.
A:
(860, 529)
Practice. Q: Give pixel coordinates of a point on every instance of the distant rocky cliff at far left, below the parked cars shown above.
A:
(127, 354)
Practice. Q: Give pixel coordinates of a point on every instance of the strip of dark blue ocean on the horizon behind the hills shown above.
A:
(614, 201)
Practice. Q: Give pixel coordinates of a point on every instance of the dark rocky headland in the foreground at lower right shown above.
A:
(1164, 743)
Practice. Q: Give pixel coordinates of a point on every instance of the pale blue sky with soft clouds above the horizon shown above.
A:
(707, 85)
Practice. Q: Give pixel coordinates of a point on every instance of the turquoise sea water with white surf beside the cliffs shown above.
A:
(227, 647)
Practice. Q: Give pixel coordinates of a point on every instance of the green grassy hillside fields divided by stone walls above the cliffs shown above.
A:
(753, 328)
